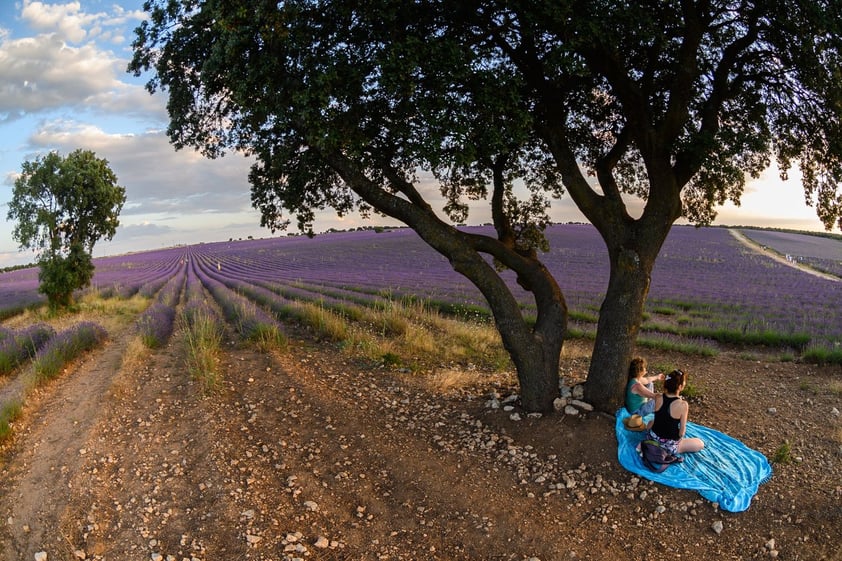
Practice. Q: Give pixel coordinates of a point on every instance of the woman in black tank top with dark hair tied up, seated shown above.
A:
(670, 422)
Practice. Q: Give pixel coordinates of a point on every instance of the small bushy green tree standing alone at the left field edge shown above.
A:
(63, 206)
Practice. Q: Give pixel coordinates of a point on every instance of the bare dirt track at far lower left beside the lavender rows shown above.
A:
(37, 486)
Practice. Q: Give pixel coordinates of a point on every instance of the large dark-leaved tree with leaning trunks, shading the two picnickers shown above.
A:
(344, 103)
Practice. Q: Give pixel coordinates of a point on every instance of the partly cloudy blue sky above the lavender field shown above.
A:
(64, 86)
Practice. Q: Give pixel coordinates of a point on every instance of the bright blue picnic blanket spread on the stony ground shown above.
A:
(726, 472)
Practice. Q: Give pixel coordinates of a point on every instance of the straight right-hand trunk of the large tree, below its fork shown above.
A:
(619, 323)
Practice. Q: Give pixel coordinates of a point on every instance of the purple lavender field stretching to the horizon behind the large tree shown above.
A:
(707, 288)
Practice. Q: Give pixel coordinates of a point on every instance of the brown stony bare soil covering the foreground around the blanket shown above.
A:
(311, 454)
